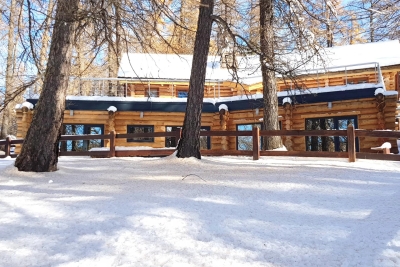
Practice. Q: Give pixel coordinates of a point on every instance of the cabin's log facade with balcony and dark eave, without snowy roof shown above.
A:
(336, 97)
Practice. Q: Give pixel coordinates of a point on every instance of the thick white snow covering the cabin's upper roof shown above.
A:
(178, 67)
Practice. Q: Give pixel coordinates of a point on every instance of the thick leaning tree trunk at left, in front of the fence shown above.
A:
(40, 148)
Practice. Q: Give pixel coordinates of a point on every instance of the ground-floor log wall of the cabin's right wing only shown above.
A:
(365, 110)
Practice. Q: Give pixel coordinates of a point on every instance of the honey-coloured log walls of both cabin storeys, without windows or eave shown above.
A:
(366, 110)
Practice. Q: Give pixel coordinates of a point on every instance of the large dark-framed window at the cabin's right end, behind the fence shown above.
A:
(329, 143)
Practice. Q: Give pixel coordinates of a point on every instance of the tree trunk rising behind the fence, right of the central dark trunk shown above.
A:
(267, 59)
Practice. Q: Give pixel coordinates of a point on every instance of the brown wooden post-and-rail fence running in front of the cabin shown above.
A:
(351, 134)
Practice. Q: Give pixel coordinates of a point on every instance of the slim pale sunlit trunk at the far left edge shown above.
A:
(7, 113)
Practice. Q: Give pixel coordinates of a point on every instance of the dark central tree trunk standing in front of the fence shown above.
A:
(189, 144)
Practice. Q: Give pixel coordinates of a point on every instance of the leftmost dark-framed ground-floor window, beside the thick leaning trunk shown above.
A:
(81, 129)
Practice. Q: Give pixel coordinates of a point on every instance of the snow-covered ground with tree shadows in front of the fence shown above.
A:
(220, 211)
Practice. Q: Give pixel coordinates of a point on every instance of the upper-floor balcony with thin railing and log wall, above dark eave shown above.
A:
(339, 78)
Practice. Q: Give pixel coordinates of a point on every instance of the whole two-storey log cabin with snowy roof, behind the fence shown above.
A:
(359, 84)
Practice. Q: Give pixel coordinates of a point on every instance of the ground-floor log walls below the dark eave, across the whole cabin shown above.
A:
(366, 111)
